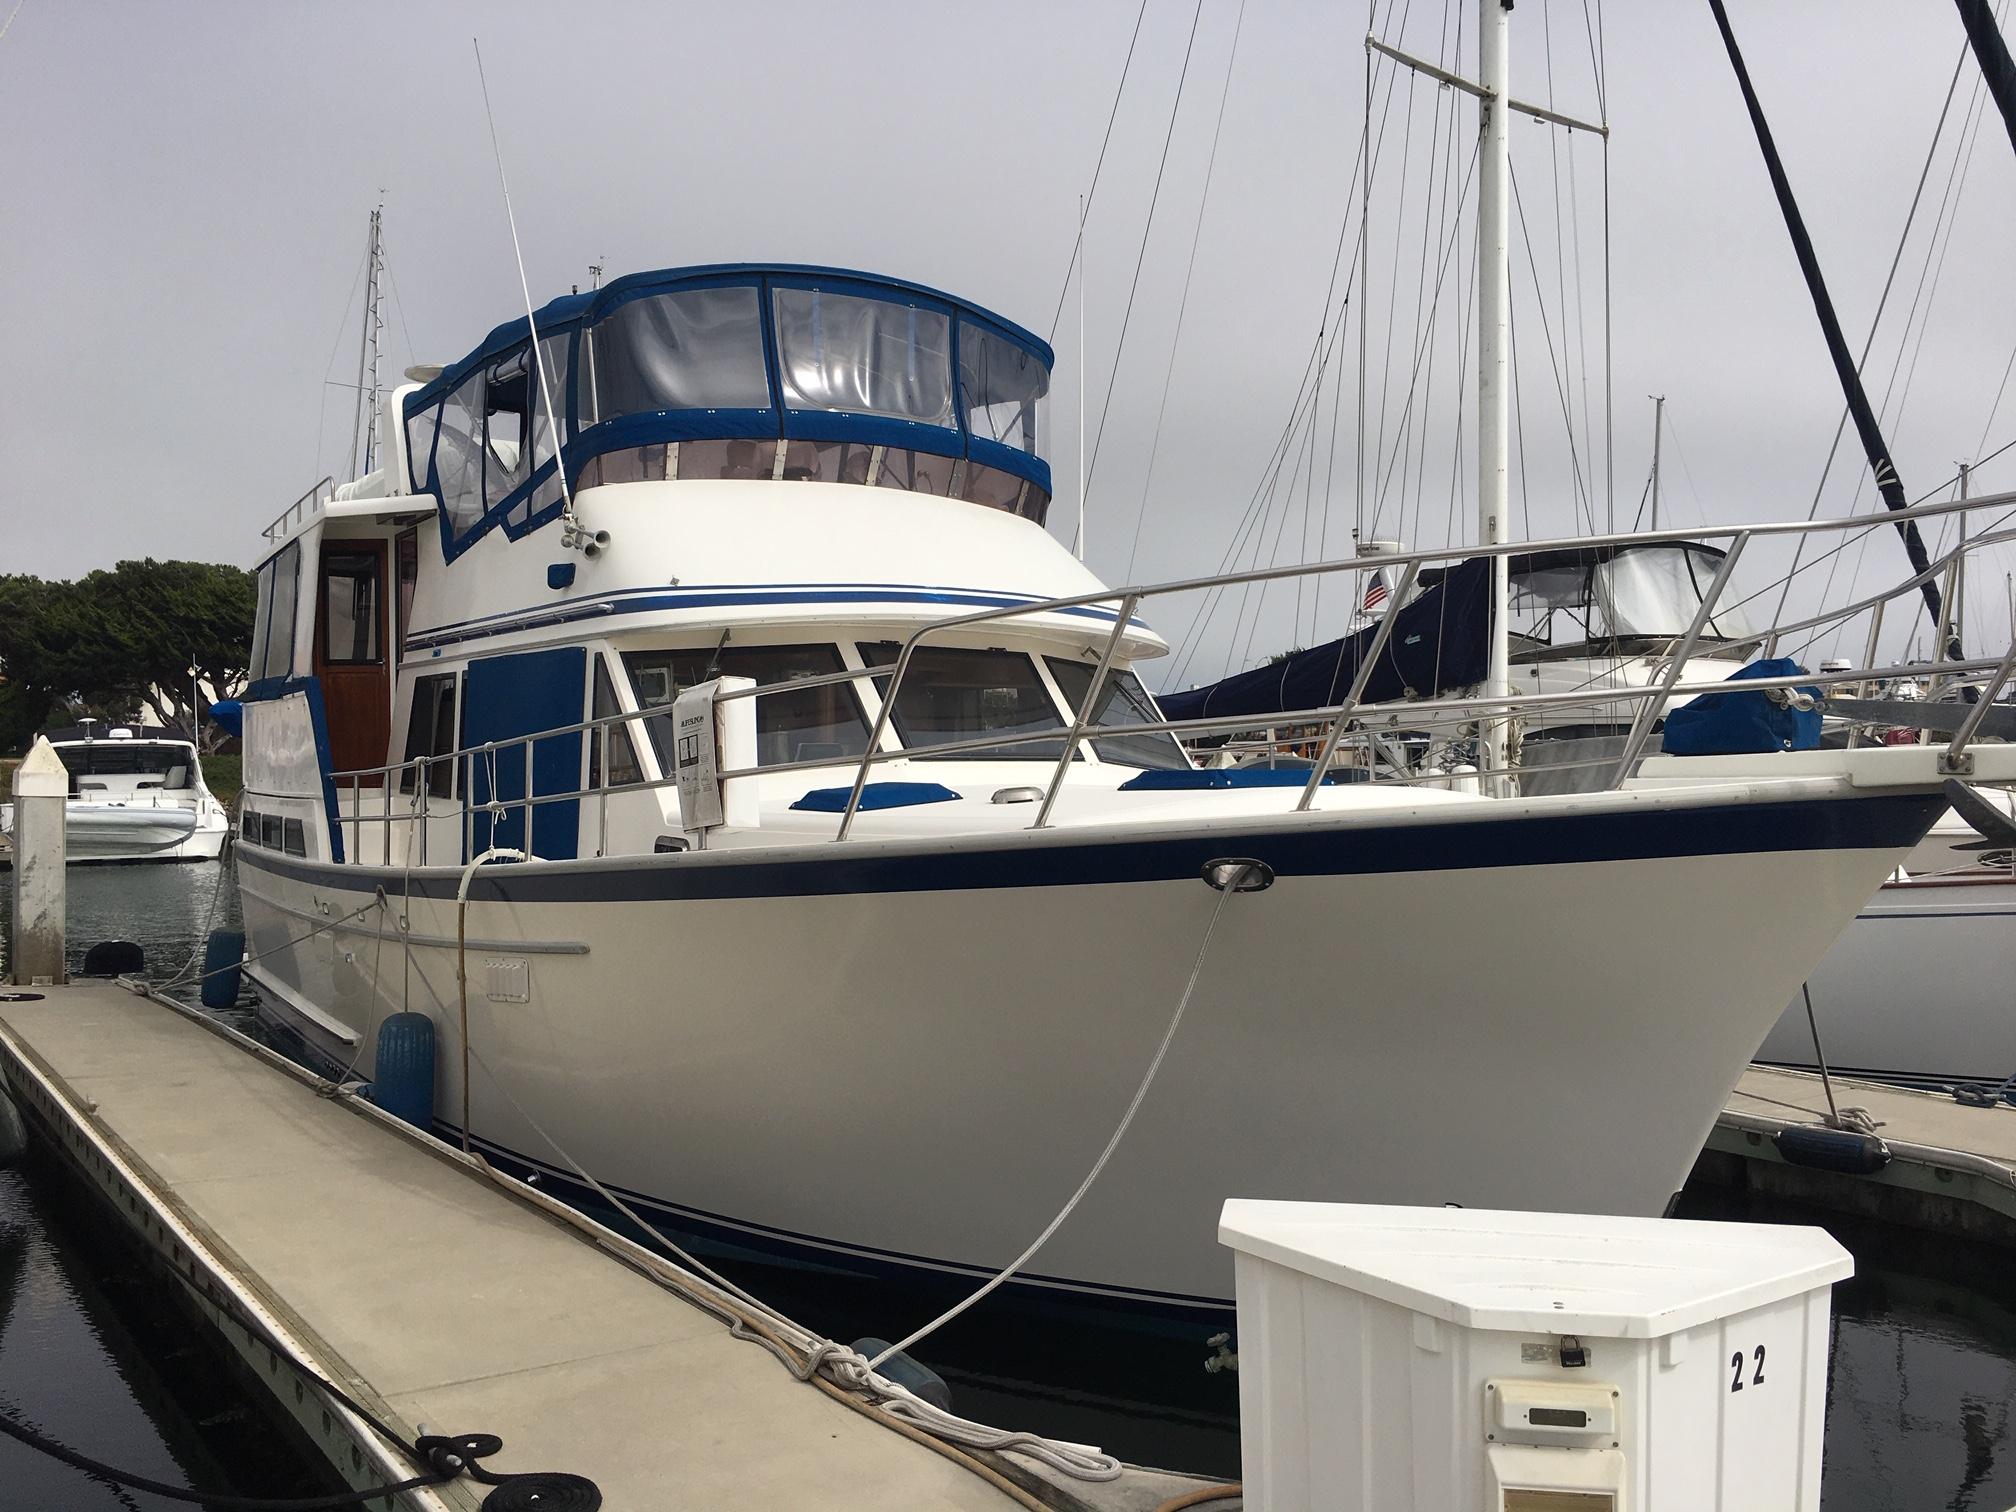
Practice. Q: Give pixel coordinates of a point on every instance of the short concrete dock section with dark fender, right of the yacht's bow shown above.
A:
(1952, 1166)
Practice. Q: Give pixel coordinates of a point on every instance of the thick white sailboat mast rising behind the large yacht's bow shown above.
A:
(1495, 346)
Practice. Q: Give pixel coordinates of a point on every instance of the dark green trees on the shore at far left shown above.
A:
(122, 640)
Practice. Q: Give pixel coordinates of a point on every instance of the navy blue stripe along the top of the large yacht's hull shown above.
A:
(1293, 850)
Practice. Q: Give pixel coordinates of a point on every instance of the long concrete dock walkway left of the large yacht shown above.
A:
(449, 1301)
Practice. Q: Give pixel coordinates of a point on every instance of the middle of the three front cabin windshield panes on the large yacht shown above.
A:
(955, 695)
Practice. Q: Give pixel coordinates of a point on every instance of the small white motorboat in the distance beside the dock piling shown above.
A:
(136, 797)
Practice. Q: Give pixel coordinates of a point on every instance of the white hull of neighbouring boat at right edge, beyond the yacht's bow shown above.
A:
(1920, 989)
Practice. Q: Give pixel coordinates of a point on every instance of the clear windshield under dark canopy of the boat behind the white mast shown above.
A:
(1576, 598)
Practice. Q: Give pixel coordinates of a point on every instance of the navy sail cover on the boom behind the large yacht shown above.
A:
(1440, 642)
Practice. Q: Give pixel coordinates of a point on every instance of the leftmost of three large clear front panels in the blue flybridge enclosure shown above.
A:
(695, 350)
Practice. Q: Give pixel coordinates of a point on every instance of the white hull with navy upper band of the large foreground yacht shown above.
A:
(910, 1055)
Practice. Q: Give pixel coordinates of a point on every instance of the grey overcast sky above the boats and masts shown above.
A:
(184, 197)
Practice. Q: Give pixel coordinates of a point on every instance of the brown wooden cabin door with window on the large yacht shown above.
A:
(352, 654)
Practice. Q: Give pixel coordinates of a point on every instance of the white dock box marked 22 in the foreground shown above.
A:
(1451, 1360)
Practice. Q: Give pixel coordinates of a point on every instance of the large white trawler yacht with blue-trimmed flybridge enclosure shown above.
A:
(874, 991)
